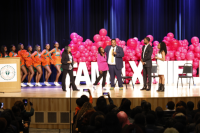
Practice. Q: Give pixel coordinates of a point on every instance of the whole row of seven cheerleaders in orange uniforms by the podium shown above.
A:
(37, 59)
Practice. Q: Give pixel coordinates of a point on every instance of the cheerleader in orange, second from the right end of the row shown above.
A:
(46, 58)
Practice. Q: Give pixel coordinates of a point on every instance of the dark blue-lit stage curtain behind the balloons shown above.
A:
(43, 21)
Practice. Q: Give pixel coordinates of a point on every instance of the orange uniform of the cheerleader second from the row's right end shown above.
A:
(46, 58)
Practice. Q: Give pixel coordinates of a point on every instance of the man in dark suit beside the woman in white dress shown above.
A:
(147, 51)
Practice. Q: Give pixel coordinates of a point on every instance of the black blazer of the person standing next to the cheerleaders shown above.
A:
(64, 60)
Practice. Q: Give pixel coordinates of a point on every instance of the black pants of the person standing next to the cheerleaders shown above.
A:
(65, 71)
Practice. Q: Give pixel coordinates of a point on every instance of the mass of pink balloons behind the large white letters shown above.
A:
(176, 50)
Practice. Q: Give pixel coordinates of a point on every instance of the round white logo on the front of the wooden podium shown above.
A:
(7, 72)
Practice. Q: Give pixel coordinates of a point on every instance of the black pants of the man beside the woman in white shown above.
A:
(147, 71)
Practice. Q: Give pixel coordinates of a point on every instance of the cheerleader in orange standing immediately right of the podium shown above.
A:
(21, 53)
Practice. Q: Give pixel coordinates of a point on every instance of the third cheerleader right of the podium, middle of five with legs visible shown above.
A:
(36, 56)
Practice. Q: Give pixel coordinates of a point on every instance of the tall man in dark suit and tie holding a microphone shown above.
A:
(115, 63)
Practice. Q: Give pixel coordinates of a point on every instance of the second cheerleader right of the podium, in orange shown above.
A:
(29, 65)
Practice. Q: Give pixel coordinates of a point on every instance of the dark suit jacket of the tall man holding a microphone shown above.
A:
(118, 56)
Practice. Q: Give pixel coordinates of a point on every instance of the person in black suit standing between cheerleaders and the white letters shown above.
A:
(67, 66)
